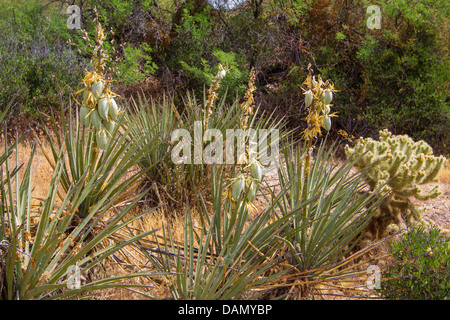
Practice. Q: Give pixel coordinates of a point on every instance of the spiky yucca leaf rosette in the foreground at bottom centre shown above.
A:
(226, 256)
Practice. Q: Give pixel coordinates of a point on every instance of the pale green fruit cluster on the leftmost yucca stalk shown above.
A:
(99, 111)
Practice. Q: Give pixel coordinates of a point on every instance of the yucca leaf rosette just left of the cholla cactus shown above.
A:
(338, 212)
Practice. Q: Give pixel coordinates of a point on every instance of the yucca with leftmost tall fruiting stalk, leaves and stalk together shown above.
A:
(94, 128)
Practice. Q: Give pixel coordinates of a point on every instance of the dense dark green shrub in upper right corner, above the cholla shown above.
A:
(406, 72)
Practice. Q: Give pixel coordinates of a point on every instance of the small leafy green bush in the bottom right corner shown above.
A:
(422, 268)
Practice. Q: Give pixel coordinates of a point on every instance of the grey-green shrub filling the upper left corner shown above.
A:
(35, 62)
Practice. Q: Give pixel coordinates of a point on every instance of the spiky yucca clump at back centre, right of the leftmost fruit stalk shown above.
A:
(159, 120)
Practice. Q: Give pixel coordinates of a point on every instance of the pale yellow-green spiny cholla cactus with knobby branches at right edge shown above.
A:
(402, 165)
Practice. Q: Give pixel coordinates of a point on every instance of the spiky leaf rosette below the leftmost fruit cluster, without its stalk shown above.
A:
(102, 172)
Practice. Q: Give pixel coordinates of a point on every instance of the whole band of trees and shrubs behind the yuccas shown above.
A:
(395, 77)
